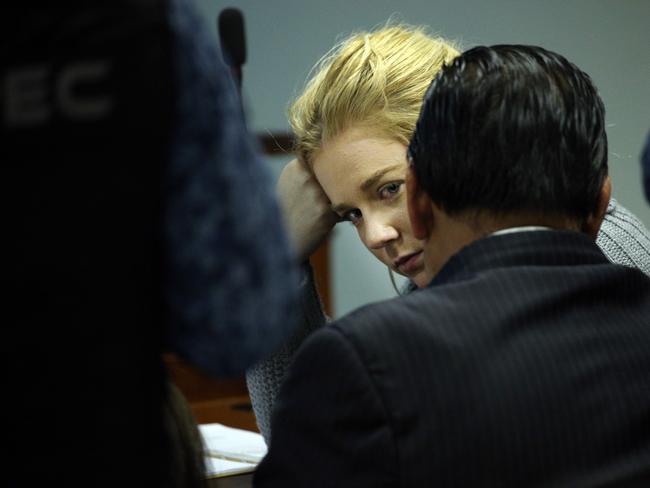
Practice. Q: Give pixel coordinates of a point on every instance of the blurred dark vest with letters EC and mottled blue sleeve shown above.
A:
(136, 216)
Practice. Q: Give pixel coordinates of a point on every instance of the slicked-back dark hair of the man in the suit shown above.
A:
(511, 128)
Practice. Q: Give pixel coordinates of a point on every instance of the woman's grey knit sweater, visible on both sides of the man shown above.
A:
(622, 237)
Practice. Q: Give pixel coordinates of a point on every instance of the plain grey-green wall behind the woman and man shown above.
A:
(608, 39)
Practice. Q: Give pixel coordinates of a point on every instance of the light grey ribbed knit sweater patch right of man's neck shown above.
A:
(624, 239)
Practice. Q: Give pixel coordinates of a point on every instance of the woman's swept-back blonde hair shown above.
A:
(374, 79)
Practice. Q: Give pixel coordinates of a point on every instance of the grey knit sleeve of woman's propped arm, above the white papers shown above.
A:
(264, 379)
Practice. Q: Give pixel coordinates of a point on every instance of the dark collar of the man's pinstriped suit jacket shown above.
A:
(538, 248)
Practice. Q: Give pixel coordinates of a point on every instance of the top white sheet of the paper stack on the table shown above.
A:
(233, 444)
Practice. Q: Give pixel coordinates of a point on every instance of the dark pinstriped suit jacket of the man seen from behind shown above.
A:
(526, 362)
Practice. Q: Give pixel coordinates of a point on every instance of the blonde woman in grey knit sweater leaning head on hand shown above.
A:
(352, 125)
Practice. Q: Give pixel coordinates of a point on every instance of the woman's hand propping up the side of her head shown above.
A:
(306, 209)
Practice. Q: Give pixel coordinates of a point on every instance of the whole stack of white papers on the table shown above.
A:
(231, 451)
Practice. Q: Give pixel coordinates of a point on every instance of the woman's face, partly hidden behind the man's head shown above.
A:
(363, 177)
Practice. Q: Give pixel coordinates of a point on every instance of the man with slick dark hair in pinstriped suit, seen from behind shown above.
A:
(525, 361)
